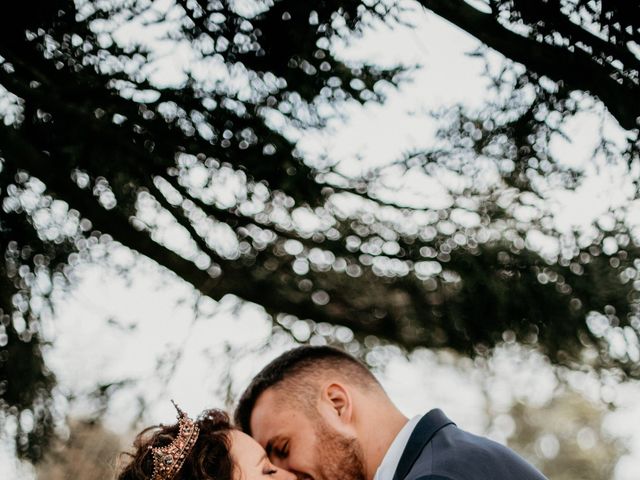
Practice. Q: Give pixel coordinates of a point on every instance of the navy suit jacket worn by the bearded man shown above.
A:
(439, 450)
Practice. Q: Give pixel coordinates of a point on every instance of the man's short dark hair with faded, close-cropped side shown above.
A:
(294, 367)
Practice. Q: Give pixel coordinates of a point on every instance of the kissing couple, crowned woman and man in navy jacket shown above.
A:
(317, 413)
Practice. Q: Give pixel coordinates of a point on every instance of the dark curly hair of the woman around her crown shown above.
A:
(209, 459)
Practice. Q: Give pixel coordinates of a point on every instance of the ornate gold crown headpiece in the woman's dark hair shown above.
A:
(168, 460)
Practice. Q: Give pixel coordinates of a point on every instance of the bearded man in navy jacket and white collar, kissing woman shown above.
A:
(322, 415)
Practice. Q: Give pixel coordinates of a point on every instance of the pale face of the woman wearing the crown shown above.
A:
(251, 460)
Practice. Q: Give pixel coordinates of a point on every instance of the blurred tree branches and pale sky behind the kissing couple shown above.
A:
(447, 189)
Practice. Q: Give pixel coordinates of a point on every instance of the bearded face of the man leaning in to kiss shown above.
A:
(304, 444)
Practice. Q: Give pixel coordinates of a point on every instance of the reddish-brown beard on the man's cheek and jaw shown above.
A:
(339, 457)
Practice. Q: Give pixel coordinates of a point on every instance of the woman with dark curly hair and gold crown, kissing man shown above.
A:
(206, 449)
